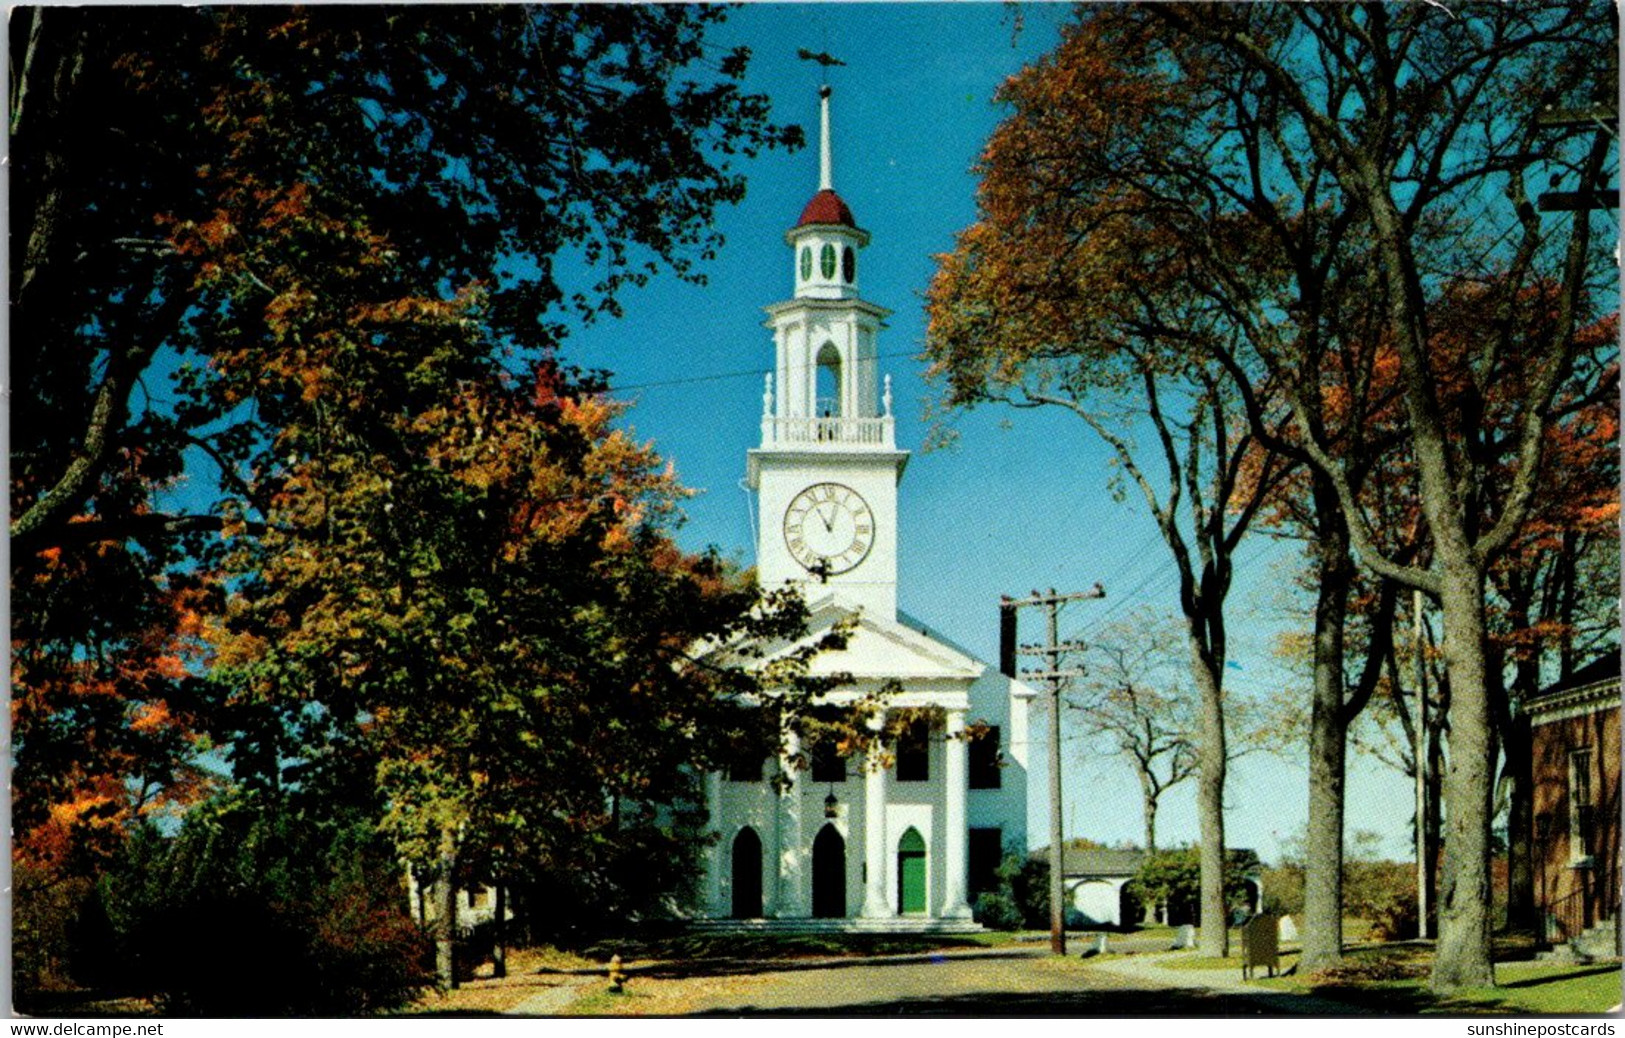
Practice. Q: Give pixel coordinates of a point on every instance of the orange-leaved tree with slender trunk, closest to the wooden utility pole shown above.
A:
(1068, 300)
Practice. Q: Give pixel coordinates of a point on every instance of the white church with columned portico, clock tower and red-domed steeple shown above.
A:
(851, 846)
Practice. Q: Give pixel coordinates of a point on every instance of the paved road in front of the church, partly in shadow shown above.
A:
(1013, 987)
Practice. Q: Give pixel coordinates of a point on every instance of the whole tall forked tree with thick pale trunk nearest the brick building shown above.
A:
(1376, 108)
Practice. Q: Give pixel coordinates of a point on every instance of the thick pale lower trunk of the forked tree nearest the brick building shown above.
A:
(1463, 954)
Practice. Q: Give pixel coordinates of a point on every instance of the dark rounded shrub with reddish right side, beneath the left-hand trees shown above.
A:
(253, 910)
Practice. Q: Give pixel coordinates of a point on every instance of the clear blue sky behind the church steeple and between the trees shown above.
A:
(1023, 501)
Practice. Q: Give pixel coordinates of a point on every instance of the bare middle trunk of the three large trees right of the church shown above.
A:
(1324, 854)
